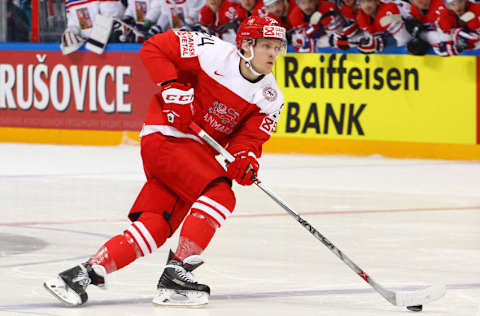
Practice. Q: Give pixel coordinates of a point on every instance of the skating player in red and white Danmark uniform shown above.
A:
(231, 93)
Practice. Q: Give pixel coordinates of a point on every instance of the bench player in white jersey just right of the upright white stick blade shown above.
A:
(144, 16)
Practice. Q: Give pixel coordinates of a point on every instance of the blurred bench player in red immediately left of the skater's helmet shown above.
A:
(222, 18)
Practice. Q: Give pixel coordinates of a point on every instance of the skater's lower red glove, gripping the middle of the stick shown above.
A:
(244, 168)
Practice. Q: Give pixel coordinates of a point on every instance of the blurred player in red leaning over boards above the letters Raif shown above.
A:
(313, 21)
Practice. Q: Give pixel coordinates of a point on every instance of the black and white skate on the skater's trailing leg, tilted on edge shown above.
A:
(69, 286)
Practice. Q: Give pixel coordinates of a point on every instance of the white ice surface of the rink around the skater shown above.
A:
(407, 223)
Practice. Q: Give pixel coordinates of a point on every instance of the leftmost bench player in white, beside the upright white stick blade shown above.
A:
(81, 16)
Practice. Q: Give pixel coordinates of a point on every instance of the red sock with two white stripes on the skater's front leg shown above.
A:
(207, 214)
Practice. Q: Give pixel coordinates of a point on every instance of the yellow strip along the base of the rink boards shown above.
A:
(276, 144)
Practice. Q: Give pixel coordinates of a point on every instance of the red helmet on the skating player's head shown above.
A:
(260, 27)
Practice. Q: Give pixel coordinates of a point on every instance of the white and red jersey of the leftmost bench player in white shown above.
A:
(81, 13)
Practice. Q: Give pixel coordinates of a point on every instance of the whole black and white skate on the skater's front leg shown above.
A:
(177, 286)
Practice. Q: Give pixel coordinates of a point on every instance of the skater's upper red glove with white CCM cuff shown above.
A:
(178, 107)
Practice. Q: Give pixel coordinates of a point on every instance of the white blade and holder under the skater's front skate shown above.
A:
(180, 298)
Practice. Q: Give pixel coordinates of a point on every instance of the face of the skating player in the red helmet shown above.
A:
(265, 53)
